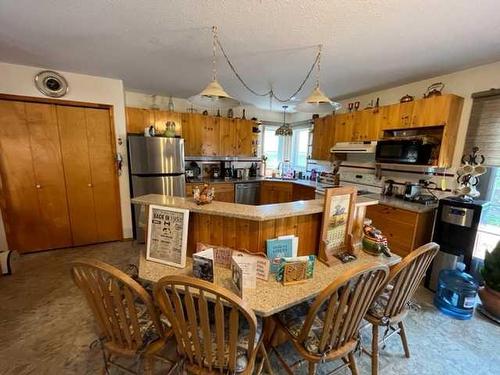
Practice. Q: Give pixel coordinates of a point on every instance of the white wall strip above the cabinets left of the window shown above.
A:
(141, 100)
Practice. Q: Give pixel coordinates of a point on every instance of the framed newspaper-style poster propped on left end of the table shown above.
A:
(167, 235)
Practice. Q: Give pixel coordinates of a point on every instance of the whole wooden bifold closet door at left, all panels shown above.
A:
(57, 177)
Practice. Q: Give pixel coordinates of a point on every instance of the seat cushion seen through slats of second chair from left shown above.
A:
(242, 345)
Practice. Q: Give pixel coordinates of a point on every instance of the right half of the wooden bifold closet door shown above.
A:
(88, 159)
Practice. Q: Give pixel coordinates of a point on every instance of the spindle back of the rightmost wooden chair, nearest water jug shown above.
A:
(406, 276)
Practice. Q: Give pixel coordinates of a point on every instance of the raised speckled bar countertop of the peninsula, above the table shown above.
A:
(244, 211)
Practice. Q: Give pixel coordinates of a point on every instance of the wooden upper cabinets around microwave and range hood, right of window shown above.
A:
(369, 125)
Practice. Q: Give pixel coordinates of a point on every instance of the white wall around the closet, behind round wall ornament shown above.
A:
(18, 80)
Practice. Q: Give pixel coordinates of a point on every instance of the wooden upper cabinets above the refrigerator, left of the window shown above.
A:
(203, 135)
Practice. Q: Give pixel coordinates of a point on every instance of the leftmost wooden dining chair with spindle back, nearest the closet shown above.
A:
(128, 321)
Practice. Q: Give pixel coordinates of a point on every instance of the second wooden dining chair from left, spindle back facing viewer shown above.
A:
(215, 330)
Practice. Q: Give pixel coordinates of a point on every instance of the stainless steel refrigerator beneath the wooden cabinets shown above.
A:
(156, 167)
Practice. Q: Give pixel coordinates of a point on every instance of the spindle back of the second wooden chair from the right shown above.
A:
(344, 303)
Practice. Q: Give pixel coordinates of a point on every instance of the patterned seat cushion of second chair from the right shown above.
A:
(293, 320)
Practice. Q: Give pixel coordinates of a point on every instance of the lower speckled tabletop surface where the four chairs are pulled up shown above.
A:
(269, 297)
